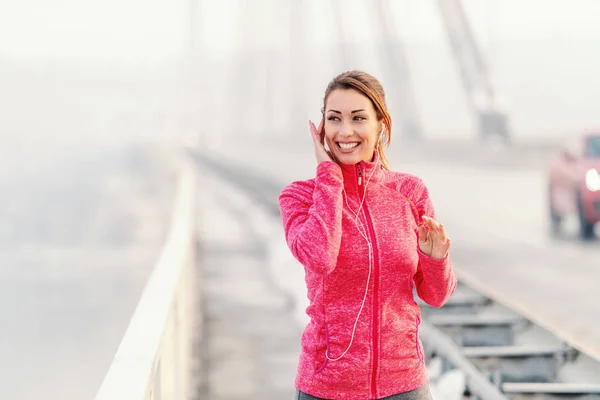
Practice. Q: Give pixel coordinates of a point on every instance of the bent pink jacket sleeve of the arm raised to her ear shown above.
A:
(312, 218)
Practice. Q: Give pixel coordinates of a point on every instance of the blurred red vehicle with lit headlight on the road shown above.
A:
(574, 184)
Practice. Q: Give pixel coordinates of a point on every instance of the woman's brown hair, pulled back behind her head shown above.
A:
(371, 88)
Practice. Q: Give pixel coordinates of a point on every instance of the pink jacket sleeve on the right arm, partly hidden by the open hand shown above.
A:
(435, 278)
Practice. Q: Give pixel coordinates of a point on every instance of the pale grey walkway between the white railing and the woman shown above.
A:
(250, 335)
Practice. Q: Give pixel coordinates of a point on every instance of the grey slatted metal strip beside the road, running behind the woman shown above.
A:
(476, 348)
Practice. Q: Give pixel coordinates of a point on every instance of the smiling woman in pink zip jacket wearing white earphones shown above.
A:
(366, 236)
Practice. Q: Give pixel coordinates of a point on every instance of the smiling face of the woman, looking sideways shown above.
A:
(351, 126)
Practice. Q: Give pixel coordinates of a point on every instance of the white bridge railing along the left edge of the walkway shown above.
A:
(154, 358)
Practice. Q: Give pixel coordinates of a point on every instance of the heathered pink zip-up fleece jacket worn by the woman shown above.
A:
(386, 356)
